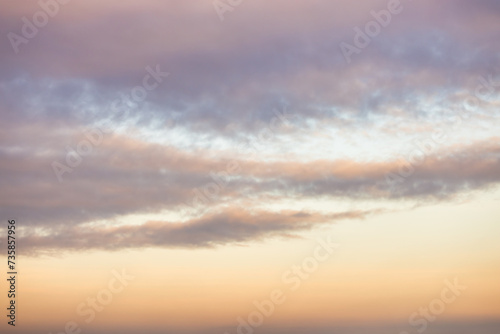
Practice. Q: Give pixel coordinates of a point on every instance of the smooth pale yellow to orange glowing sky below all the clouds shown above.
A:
(404, 270)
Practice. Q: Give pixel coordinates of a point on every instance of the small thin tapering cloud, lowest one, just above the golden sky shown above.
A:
(230, 226)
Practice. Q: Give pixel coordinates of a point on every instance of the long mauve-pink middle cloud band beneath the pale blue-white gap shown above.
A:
(124, 175)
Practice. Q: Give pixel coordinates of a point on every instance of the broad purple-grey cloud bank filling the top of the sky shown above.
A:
(238, 71)
